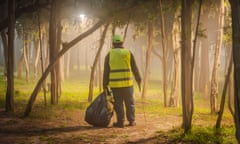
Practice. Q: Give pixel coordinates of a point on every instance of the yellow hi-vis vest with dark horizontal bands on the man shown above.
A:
(120, 68)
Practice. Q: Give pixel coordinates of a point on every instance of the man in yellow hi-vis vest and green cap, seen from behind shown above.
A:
(119, 68)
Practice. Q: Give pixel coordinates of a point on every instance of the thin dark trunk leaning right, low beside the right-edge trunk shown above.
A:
(218, 123)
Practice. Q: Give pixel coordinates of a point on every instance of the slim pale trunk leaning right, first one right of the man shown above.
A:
(148, 59)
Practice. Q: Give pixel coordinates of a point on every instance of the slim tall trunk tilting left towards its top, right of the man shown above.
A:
(164, 55)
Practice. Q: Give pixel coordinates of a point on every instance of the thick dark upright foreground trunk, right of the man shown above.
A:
(186, 59)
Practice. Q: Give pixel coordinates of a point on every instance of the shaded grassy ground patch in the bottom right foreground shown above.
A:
(198, 135)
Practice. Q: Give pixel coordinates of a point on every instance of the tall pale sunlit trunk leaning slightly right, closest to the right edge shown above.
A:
(214, 82)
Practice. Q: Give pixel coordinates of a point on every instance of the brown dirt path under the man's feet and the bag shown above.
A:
(73, 129)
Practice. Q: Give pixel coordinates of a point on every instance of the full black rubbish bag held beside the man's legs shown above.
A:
(100, 111)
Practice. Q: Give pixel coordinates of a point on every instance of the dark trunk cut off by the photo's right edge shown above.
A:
(235, 7)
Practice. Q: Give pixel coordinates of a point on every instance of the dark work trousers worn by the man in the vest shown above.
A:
(124, 96)
